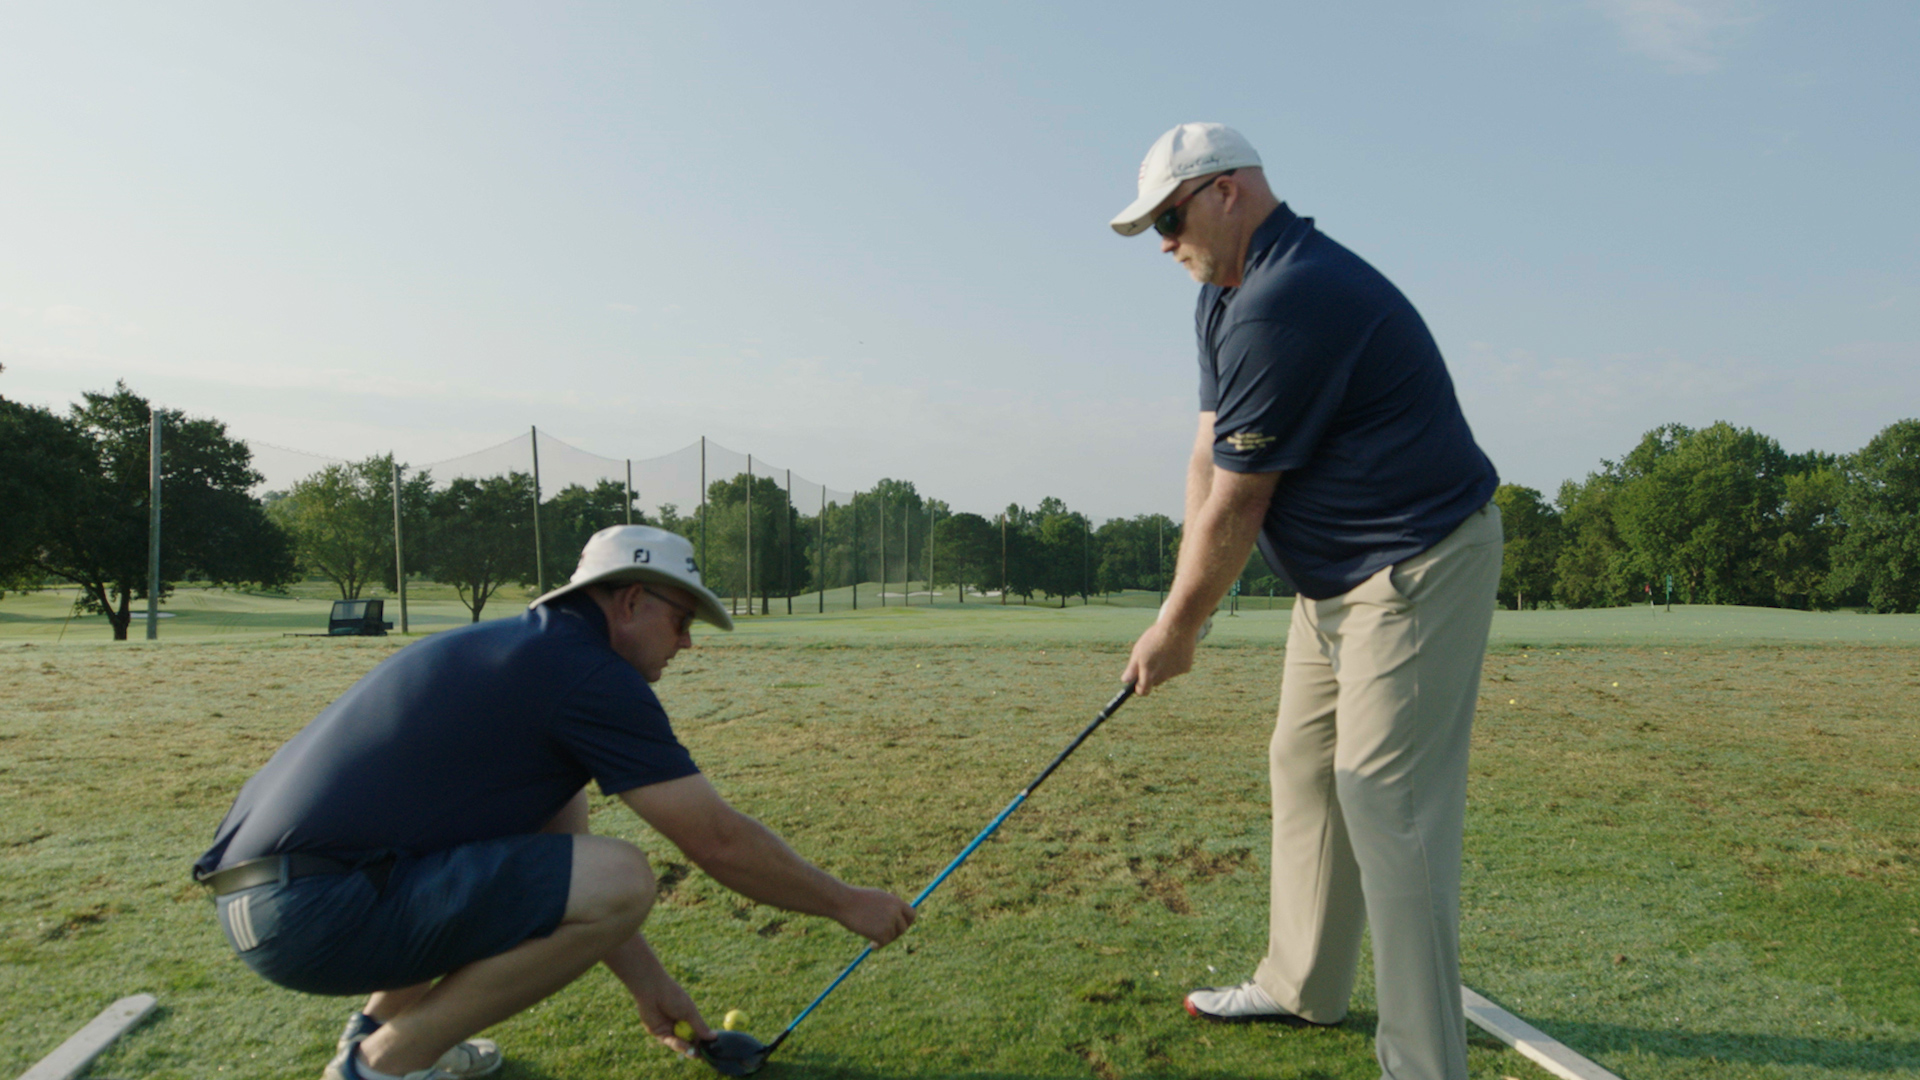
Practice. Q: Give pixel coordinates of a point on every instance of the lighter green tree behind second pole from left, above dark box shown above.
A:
(343, 522)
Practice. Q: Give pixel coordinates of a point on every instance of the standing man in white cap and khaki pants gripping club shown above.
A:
(1332, 437)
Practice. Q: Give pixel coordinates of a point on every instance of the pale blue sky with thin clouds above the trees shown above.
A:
(871, 241)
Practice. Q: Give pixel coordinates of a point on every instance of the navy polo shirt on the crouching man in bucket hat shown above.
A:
(469, 735)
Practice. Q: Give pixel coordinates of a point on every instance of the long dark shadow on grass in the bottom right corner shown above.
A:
(1865, 1056)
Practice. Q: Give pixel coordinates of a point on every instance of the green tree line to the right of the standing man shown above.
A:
(1725, 516)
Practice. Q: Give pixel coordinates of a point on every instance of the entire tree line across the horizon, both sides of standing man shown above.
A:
(1725, 512)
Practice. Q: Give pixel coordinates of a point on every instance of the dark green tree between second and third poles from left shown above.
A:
(481, 537)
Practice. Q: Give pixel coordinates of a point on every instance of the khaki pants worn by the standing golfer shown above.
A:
(1370, 797)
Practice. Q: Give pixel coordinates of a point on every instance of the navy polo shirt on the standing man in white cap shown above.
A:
(1320, 370)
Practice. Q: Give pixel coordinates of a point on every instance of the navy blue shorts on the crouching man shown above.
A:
(437, 914)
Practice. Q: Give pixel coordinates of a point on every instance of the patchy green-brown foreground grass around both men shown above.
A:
(1704, 871)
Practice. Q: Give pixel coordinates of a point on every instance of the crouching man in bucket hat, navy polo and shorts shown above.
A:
(425, 839)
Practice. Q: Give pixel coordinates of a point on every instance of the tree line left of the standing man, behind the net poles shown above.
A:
(76, 508)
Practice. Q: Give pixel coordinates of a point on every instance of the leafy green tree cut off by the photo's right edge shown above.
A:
(1881, 503)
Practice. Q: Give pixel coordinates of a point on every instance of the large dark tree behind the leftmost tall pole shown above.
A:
(212, 528)
